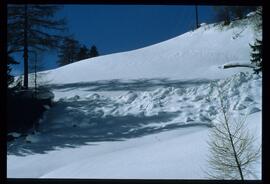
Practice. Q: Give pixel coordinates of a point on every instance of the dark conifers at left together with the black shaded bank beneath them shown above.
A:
(32, 30)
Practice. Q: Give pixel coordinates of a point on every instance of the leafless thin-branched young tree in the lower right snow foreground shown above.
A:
(232, 151)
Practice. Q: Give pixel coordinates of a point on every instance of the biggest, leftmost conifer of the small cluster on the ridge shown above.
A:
(68, 52)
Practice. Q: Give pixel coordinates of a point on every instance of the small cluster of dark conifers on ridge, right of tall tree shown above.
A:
(71, 51)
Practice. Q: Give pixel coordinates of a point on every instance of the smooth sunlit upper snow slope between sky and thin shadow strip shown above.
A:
(195, 54)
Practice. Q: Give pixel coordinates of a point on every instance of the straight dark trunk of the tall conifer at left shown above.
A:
(25, 54)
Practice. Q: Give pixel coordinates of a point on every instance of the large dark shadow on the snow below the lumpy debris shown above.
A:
(90, 128)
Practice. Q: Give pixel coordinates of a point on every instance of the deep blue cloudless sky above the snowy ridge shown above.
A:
(117, 28)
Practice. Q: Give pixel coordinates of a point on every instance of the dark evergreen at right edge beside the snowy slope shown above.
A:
(256, 55)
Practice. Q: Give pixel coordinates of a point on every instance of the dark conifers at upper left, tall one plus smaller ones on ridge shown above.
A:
(32, 30)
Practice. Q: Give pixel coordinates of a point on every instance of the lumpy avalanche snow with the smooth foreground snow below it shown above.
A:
(81, 137)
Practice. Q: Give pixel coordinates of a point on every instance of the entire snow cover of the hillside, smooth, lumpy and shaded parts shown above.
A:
(142, 114)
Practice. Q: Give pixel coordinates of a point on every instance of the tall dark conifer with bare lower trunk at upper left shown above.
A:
(32, 27)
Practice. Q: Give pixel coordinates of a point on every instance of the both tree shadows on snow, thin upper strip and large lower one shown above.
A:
(73, 123)
